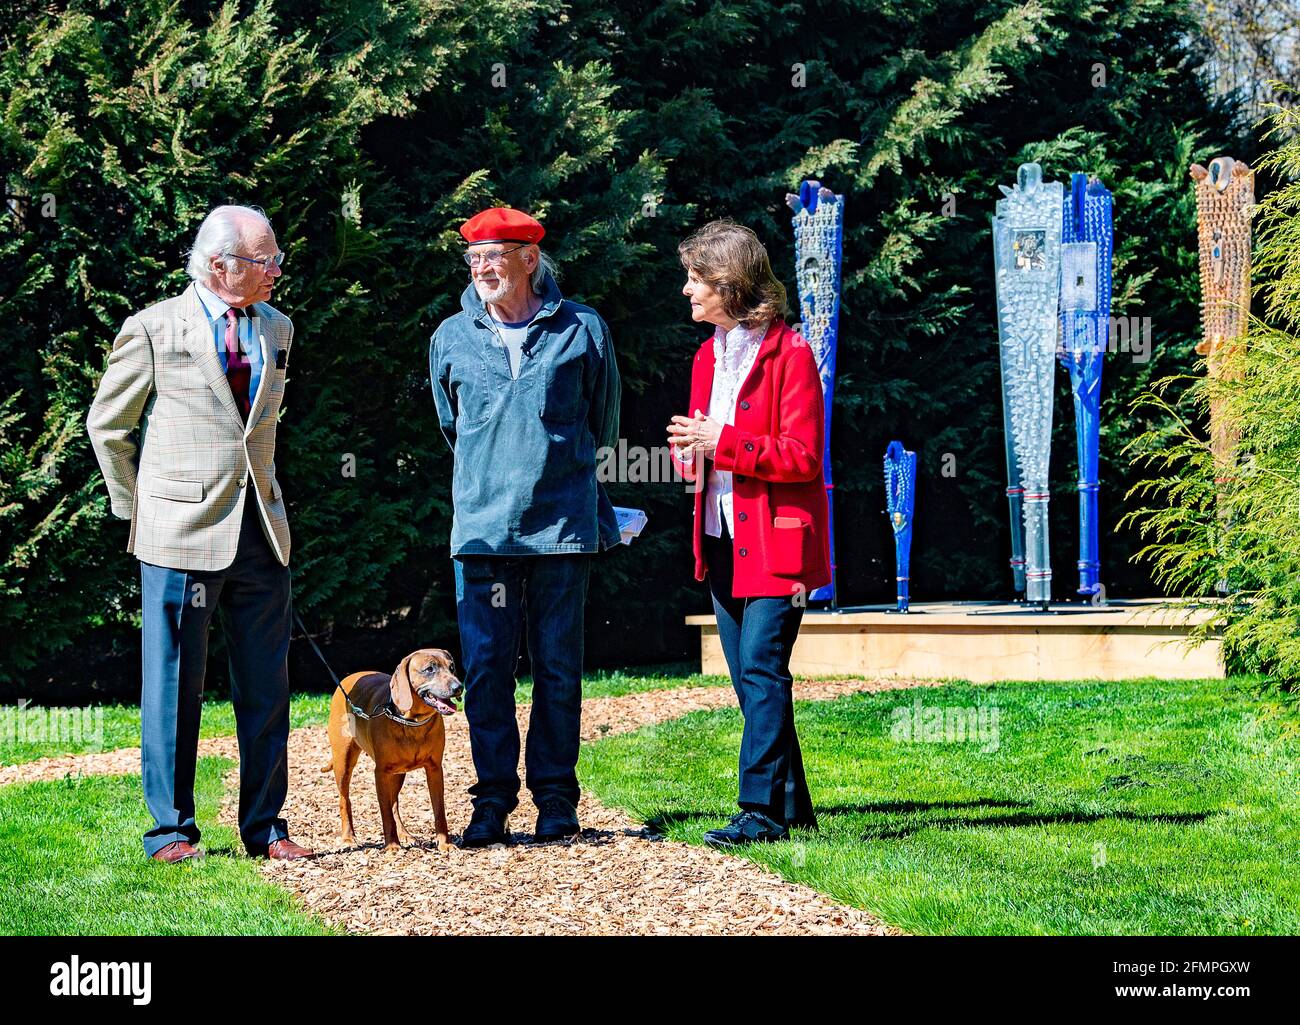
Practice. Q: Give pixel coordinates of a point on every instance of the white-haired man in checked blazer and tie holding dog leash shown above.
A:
(184, 427)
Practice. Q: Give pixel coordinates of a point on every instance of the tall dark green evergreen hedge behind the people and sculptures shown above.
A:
(369, 132)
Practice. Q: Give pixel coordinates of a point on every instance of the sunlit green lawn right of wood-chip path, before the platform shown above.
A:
(1142, 807)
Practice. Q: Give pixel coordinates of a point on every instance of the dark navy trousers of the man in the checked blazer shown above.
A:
(177, 609)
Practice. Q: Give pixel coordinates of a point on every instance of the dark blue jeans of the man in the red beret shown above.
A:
(501, 600)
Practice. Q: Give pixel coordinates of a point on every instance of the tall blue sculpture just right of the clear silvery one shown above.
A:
(1086, 250)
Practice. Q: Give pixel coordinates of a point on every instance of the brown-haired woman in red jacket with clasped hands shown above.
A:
(753, 446)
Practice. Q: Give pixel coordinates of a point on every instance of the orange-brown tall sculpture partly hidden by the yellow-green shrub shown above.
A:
(1225, 198)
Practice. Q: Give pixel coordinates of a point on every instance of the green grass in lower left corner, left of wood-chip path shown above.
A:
(72, 864)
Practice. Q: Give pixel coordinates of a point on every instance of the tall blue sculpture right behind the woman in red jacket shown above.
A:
(818, 254)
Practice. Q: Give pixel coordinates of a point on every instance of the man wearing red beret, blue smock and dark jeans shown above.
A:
(527, 392)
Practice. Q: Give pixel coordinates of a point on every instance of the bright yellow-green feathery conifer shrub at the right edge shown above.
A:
(1240, 526)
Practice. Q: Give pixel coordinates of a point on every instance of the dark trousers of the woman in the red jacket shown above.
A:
(759, 637)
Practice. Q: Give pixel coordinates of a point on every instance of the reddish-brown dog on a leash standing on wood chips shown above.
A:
(423, 690)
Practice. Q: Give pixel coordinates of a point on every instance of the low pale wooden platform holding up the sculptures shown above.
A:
(986, 642)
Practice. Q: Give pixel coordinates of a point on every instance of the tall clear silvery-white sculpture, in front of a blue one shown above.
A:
(1028, 267)
